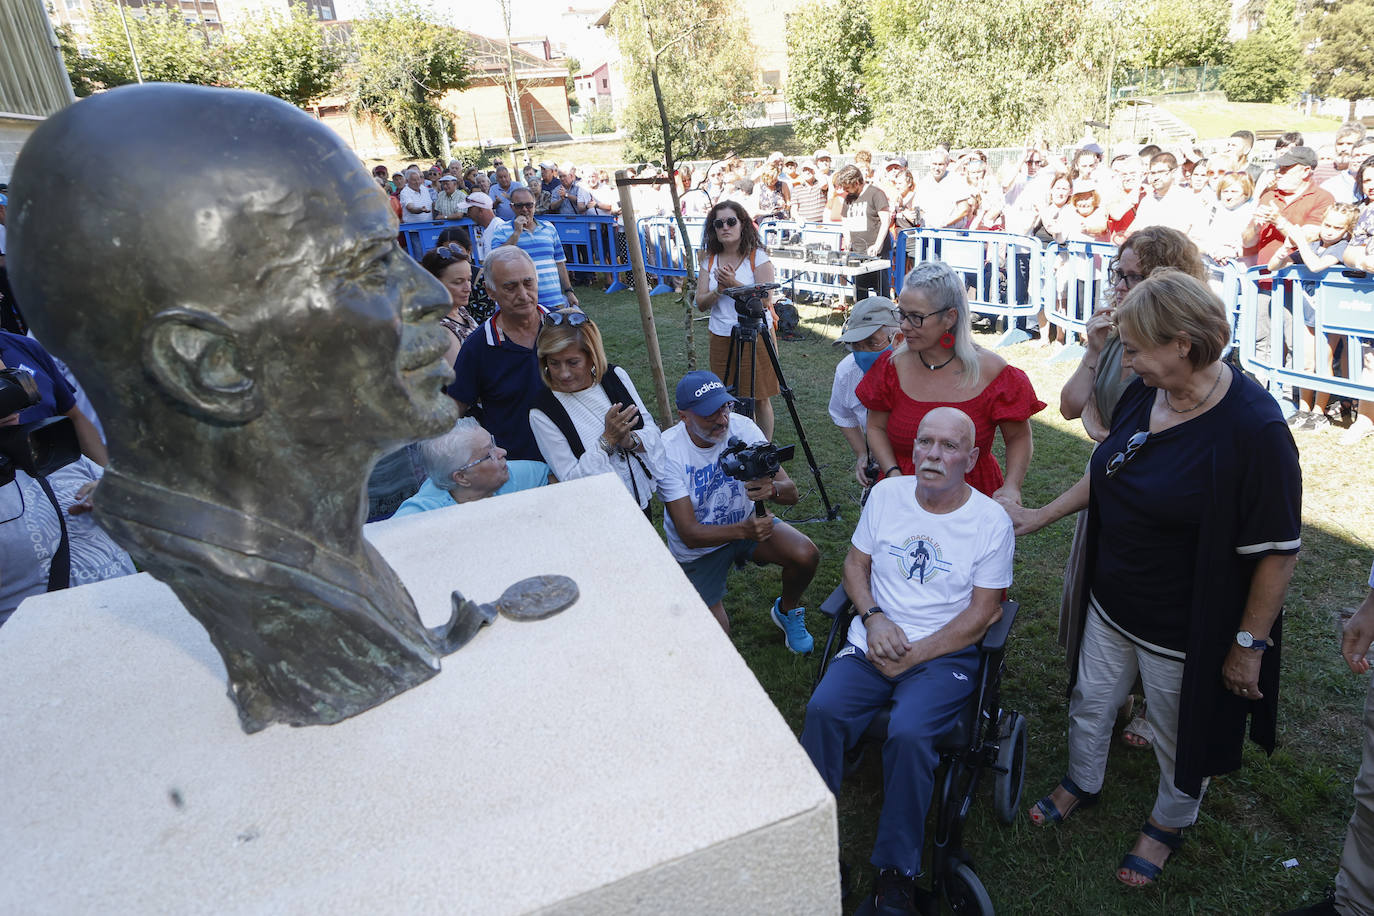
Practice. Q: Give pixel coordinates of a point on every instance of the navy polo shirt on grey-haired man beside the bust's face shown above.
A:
(499, 380)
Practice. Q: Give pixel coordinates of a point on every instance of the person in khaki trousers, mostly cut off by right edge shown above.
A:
(1355, 880)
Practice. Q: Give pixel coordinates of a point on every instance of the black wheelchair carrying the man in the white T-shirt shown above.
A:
(986, 738)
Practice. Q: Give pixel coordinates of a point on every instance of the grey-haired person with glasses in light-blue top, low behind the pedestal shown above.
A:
(466, 465)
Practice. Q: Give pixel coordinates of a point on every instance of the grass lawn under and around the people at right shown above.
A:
(1291, 805)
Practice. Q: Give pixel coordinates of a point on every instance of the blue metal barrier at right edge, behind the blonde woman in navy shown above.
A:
(1340, 306)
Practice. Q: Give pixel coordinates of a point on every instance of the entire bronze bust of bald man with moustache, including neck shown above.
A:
(254, 340)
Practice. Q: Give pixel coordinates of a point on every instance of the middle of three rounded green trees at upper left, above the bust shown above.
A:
(289, 58)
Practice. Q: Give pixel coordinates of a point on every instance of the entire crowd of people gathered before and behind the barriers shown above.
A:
(1191, 509)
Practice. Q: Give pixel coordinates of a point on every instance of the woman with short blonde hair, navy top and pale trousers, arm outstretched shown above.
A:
(1195, 524)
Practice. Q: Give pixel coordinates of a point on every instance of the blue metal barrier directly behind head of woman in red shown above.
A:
(1002, 271)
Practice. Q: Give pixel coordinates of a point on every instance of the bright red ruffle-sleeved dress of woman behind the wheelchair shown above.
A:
(1006, 398)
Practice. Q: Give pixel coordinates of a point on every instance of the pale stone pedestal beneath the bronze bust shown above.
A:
(618, 759)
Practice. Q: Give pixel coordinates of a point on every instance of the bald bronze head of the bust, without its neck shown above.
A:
(238, 263)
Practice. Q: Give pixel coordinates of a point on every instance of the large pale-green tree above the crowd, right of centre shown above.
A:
(986, 72)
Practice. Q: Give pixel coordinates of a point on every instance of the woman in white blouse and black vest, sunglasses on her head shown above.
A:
(590, 420)
